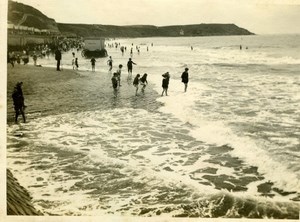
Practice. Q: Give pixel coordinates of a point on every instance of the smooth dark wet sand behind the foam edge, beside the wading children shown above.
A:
(50, 92)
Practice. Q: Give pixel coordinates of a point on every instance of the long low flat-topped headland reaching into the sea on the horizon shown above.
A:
(151, 31)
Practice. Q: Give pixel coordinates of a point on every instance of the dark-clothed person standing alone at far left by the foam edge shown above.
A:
(18, 100)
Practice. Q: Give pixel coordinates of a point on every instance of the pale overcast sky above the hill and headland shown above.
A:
(258, 16)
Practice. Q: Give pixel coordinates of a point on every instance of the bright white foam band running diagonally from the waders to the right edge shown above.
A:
(219, 133)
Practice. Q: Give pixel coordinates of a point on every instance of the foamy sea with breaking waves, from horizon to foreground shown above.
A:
(229, 147)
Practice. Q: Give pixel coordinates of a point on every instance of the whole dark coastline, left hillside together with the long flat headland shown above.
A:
(23, 15)
